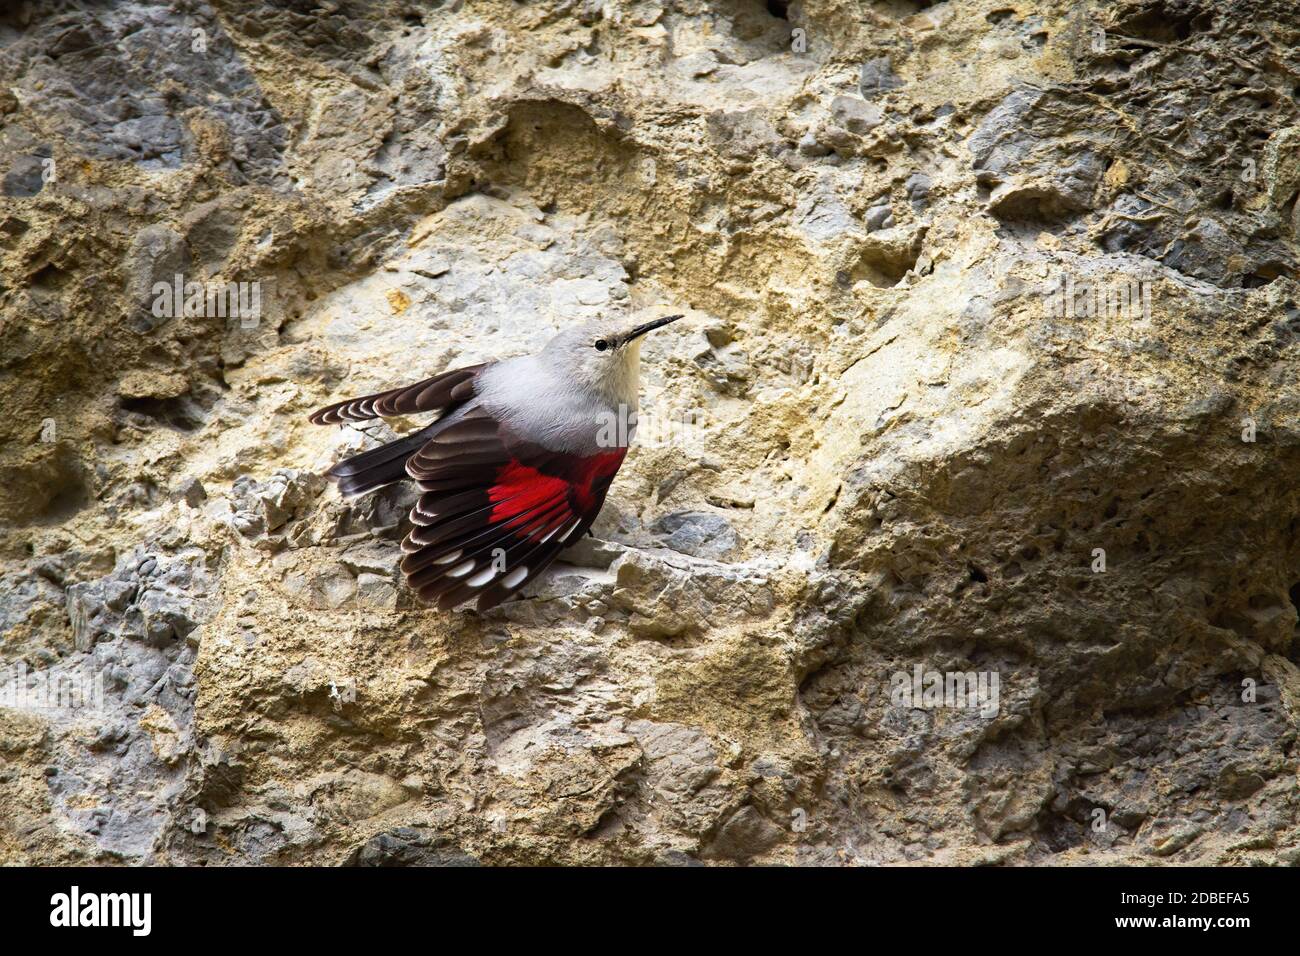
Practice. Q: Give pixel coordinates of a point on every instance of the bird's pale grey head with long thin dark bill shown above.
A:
(604, 356)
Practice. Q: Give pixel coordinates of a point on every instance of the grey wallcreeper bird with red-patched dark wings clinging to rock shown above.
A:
(517, 465)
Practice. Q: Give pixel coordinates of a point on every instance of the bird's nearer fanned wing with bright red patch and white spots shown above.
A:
(496, 511)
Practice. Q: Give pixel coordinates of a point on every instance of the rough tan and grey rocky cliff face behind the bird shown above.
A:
(964, 527)
